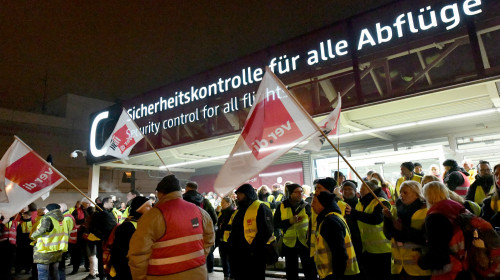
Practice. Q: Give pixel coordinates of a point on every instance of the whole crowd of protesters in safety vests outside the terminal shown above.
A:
(339, 229)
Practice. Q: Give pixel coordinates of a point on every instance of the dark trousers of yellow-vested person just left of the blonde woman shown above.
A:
(377, 266)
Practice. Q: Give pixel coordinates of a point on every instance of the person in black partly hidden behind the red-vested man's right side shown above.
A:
(192, 195)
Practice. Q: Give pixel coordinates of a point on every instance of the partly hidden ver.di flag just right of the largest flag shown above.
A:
(328, 125)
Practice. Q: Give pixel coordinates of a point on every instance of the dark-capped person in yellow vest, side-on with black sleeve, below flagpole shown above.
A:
(334, 253)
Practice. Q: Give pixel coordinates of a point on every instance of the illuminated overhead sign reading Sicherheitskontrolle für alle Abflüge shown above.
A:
(230, 88)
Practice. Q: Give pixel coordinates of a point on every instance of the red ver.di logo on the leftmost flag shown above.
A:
(31, 174)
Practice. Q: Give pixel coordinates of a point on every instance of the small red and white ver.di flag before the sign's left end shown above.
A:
(124, 137)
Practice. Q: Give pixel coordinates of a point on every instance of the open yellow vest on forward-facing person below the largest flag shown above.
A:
(297, 230)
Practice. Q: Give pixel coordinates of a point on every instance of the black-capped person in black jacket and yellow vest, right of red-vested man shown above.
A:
(247, 248)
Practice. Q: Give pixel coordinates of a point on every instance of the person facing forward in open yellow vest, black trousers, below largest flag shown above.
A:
(292, 217)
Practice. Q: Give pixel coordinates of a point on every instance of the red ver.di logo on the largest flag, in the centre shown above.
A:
(270, 125)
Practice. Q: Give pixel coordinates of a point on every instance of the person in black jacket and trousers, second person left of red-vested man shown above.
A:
(101, 225)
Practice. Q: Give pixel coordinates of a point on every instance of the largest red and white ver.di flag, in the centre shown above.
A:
(275, 124)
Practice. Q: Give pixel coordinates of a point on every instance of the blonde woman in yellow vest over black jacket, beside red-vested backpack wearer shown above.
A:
(406, 231)
